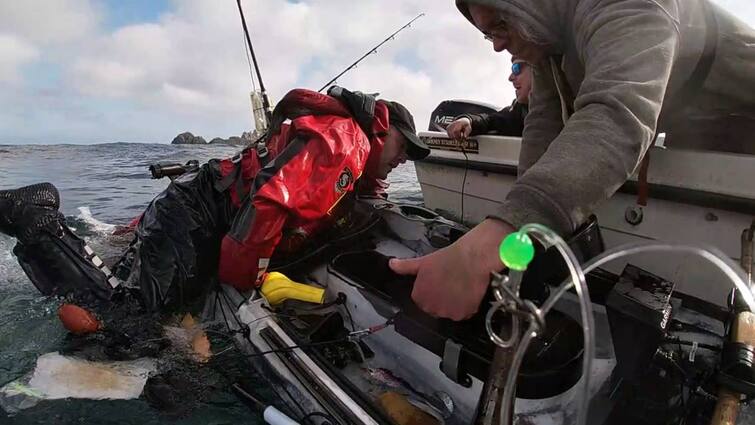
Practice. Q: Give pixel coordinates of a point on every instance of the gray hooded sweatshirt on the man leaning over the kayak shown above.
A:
(614, 68)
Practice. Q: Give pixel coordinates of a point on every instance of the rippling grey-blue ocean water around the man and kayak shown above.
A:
(102, 185)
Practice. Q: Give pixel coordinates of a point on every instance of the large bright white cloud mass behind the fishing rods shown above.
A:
(192, 62)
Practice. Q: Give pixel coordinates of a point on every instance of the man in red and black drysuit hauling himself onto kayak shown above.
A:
(226, 219)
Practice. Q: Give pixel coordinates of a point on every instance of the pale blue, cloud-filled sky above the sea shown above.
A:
(97, 71)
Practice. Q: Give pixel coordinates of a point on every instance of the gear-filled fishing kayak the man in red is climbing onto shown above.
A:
(364, 348)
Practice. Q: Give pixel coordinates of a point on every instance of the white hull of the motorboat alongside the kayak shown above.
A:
(714, 192)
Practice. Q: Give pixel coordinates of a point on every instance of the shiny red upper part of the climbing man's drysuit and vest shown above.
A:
(314, 162)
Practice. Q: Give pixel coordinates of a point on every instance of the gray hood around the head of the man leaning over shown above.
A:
(546, 17)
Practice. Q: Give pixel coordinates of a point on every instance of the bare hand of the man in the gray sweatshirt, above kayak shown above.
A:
(452, 282)
